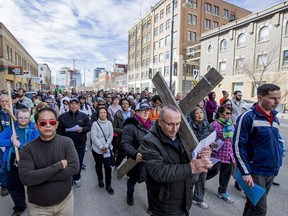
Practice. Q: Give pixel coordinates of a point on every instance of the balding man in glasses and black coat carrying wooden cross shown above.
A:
(169, 170)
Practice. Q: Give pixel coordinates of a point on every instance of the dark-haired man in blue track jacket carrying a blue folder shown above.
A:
(257, 145)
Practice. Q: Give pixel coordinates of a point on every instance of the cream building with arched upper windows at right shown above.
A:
(249, 52)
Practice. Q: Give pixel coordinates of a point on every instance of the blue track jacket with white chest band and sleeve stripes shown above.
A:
(257, 144)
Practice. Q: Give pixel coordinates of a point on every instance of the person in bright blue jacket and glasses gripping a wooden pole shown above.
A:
(25, 132)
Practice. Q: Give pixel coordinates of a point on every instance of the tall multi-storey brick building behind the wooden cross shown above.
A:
(149, 42)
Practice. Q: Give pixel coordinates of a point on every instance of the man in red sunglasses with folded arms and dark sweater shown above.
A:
(46, 167)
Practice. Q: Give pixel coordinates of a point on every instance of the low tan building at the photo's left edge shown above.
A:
(17, 66)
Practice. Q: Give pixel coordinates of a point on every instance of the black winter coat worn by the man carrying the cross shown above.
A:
(169, 175)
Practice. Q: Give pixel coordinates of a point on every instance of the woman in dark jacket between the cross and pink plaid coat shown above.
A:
(201, 129)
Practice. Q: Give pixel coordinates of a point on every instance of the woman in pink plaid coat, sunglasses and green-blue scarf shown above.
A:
(224, 128)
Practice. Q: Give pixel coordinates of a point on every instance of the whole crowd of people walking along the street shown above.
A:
(53, 130)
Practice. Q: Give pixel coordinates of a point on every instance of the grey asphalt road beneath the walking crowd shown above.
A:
(90, 200)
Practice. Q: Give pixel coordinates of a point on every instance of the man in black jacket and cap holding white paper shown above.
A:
(75, 124)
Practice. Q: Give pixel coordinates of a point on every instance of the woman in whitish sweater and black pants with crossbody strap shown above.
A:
(102, 136)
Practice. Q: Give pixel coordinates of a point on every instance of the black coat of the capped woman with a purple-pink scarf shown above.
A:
(132, 139)
